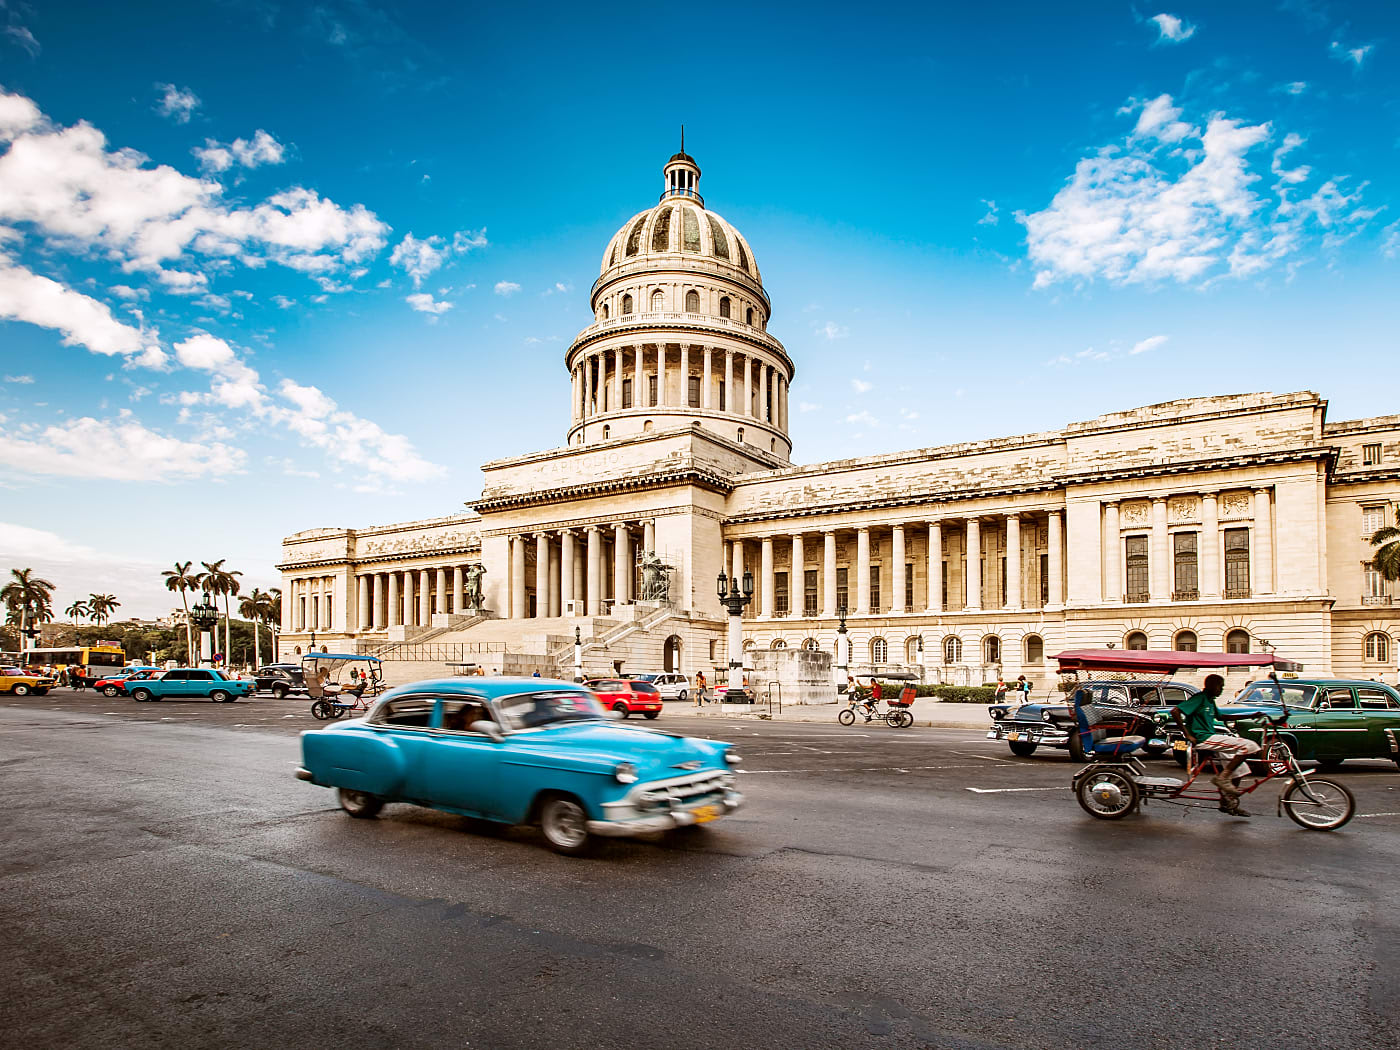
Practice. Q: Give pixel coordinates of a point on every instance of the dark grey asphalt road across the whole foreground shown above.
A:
(167, 883)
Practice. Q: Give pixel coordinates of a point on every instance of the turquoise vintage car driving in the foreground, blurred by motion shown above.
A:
(521, 751)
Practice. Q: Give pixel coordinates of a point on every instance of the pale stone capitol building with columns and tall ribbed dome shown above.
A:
(1227, 523)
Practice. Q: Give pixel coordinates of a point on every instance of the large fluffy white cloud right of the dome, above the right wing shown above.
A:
(1150, 211)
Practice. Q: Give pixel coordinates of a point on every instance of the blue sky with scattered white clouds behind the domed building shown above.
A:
(267, 267)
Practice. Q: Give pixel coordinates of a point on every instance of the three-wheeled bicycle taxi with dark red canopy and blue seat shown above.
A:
(1116, 783)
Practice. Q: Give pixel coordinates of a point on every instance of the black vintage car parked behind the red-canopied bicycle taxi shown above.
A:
(1144, 702)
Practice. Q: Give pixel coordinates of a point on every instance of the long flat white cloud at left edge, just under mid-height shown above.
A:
(114, 450)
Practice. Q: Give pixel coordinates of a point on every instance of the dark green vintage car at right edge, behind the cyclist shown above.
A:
(1329, 719)
